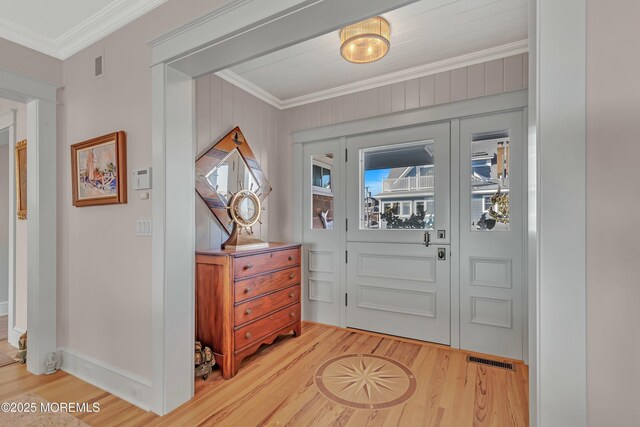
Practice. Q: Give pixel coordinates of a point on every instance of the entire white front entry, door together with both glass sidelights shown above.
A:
(417, 234)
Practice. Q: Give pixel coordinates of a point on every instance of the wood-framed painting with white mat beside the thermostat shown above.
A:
(99, 170)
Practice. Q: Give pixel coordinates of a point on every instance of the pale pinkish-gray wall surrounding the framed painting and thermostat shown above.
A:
(117, 270)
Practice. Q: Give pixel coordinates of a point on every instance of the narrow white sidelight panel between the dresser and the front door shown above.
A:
(323, 230)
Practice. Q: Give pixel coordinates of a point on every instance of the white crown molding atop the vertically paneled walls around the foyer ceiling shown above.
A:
(474, 58)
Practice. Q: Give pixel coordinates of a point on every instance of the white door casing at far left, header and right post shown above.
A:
(40, 98)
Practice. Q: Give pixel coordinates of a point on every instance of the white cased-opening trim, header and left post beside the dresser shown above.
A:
(205, 46)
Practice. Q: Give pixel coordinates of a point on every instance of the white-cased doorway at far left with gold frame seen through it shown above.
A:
(31, 270)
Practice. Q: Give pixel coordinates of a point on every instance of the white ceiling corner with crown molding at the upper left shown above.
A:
(60, 28)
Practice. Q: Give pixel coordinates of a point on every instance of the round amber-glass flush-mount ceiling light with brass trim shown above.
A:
(365, 41)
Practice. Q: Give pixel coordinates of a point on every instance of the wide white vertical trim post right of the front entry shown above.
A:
(560, 373)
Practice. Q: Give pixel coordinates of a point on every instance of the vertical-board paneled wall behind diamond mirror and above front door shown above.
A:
(221, 106)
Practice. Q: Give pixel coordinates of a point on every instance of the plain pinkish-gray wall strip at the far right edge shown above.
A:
(613, 203)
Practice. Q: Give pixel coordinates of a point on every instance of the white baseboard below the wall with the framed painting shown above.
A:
(120, 383)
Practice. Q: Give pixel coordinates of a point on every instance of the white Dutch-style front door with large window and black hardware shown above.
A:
(398, 212)
